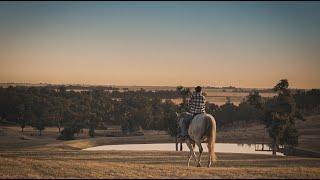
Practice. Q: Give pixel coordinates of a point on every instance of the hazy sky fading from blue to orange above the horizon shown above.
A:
(244, 44)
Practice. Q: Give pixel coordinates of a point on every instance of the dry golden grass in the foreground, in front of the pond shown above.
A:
(152, 164)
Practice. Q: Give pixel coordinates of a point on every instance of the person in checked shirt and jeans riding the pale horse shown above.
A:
(196, 106)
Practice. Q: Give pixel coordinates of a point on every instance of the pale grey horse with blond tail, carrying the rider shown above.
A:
(202, 128)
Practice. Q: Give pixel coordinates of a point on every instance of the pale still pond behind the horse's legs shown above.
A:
(220, 147)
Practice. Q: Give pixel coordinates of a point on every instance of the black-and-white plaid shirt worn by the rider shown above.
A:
(197, 103)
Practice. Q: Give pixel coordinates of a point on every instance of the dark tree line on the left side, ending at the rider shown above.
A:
(73, 111)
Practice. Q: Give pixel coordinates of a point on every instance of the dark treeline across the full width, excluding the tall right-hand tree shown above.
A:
(72, 111)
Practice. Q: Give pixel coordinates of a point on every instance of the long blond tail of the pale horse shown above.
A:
(212, 138)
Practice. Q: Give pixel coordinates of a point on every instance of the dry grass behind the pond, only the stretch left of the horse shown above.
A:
(13, 139)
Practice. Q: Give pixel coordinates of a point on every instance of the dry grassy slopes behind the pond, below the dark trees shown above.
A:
(13, 139)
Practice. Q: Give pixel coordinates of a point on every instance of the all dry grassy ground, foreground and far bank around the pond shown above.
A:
(29, 156)
